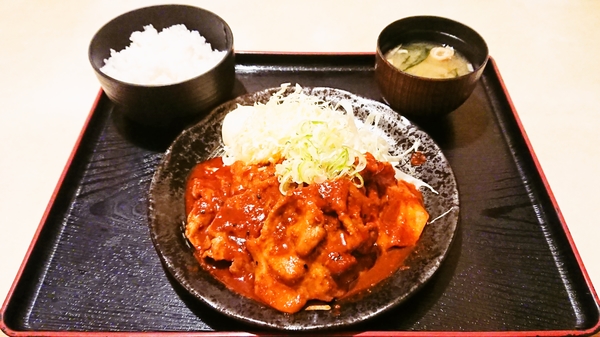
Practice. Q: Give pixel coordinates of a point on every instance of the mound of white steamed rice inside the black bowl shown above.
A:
(158, 58)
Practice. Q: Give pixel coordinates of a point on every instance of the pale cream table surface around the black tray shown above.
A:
(546, 50)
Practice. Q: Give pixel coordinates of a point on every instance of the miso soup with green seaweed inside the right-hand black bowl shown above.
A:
(429, 60)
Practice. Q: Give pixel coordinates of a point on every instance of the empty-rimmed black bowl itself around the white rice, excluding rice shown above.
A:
(171, 105)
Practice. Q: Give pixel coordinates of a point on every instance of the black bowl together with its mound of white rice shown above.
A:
(165, 66)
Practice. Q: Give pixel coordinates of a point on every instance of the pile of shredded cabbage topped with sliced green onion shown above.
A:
(314, 140)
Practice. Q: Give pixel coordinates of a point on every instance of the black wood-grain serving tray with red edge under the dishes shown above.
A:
(93, 267)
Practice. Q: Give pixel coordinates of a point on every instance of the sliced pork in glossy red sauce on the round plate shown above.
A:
(317, 242)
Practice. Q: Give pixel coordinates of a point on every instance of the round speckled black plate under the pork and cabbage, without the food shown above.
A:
(203, 141)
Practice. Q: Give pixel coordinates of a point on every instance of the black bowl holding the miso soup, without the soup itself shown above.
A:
(421, 98)
